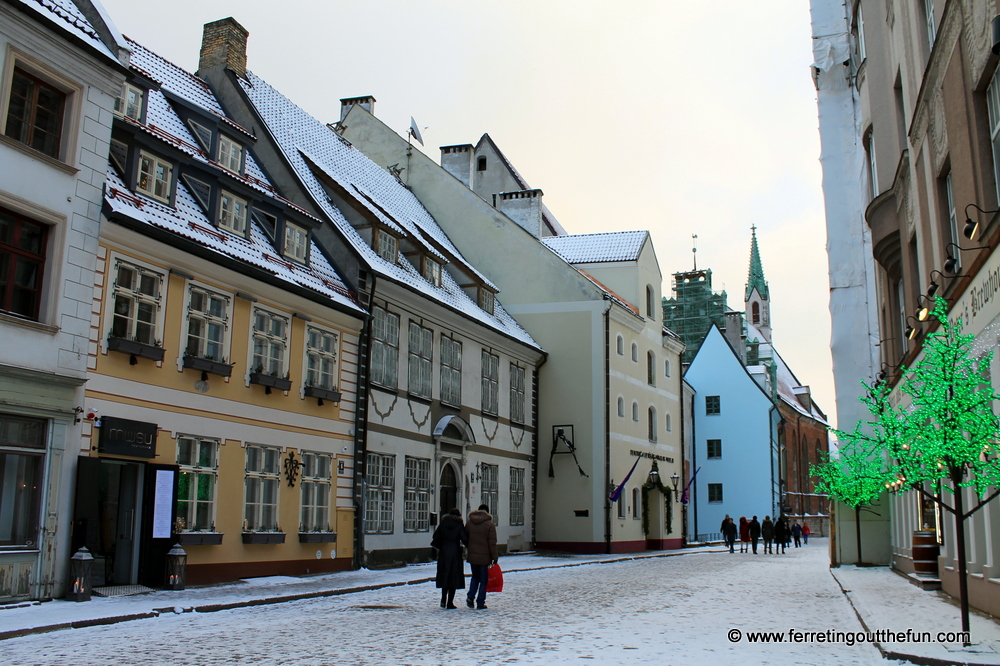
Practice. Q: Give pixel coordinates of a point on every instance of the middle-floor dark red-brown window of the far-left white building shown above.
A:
(22, 264)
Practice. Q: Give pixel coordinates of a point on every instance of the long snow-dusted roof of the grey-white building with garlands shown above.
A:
(318, 154)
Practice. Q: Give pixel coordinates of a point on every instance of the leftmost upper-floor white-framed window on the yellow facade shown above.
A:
(136, 303)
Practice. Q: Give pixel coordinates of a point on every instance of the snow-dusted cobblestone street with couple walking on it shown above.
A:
(670, 610)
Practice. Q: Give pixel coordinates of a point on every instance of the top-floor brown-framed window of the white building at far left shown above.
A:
(35, 114)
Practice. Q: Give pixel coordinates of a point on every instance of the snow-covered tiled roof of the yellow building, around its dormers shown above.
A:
(187, 218)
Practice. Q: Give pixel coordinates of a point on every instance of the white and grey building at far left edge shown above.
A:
(61, 68)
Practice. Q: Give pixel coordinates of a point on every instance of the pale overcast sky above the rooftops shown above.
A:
(678, 117)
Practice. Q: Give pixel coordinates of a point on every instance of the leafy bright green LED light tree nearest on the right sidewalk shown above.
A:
(948, 437)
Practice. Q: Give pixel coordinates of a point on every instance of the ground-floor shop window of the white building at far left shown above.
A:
(22, 445)
